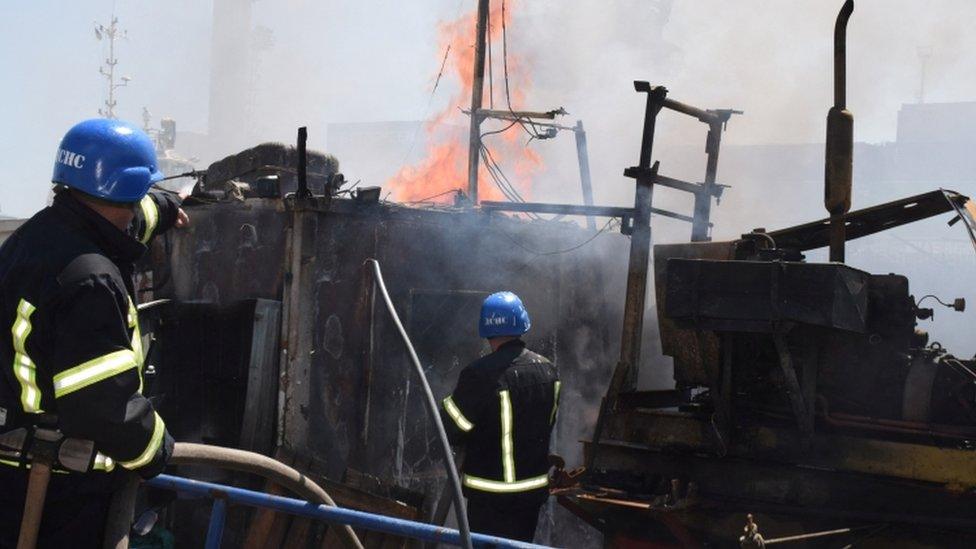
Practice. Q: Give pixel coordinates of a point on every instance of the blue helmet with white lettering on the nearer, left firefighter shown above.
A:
(107, 159)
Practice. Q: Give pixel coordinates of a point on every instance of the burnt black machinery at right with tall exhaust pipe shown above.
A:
(805, 396)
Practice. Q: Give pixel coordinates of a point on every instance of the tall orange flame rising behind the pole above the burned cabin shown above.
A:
(445, 166)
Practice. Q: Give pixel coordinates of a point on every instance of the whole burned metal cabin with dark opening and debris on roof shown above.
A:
(306, 361)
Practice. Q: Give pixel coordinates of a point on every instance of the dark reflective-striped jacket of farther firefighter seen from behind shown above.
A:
(502, 412)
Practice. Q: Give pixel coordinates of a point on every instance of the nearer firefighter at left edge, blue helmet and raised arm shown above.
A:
(72, 357)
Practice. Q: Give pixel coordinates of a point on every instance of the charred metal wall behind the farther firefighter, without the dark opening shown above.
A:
(348, 397)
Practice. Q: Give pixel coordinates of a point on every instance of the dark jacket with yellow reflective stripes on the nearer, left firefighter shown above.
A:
(73, 348)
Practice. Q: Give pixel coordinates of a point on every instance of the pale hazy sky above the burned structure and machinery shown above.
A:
(374, 60)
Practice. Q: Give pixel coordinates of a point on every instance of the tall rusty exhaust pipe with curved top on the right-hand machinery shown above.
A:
(839, 164)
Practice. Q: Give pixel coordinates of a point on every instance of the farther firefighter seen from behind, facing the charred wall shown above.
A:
(501, 413)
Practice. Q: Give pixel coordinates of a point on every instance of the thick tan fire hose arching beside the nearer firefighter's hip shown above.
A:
(186, 453)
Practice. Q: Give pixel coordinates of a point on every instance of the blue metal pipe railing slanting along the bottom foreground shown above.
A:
(335, 515)
